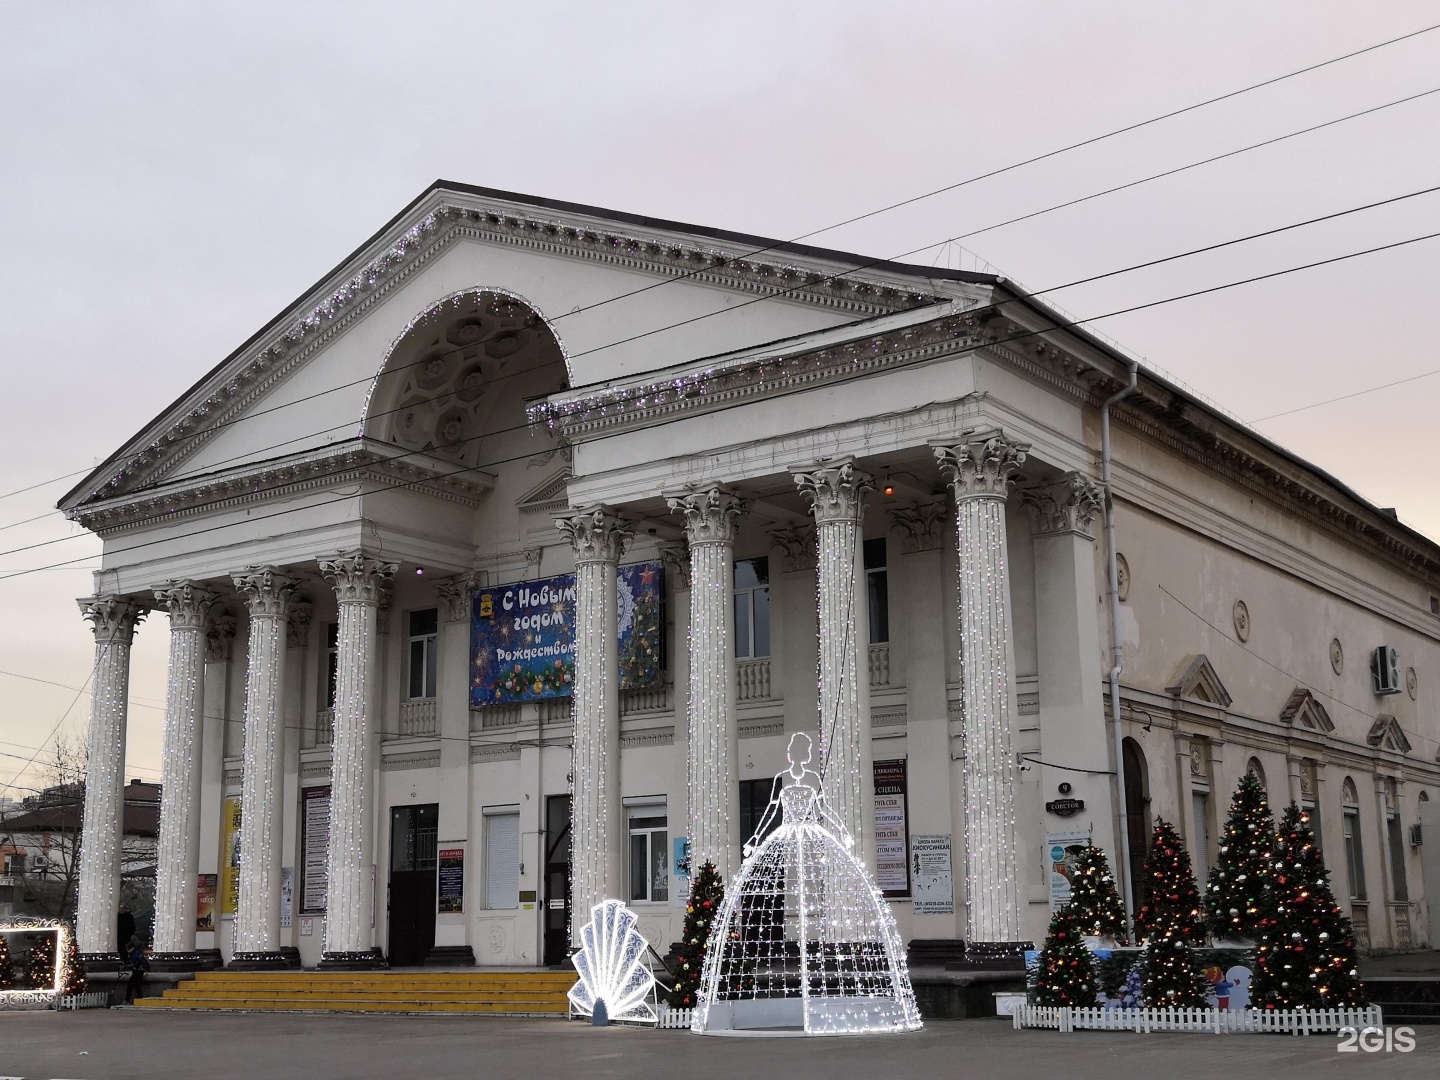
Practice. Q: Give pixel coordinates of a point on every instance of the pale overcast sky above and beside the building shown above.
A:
(175, 175)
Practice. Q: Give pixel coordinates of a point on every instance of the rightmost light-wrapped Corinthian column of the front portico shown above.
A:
(980, 472)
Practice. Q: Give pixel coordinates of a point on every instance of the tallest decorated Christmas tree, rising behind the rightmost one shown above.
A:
(1241, 879)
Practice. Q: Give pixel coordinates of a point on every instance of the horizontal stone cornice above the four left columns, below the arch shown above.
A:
(283, 477)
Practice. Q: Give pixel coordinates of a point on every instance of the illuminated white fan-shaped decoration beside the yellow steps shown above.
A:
(616, 984)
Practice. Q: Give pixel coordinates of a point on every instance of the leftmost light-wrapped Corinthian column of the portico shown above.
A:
(113, 620)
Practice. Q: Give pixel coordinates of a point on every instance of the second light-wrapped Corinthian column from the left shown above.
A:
(178, 858)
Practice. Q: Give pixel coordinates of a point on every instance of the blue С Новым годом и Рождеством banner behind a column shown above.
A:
(523, 637)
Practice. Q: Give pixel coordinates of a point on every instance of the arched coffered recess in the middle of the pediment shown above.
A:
(454, 385)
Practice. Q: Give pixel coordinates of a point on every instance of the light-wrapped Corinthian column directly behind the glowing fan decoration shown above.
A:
(597, 826)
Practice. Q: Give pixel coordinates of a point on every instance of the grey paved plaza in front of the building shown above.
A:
(125, 1045)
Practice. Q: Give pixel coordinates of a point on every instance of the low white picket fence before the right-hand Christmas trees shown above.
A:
(1207, 1020)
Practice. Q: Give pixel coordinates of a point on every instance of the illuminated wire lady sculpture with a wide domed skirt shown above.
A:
(806, 944)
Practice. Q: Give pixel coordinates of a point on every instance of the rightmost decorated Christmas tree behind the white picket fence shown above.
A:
(1305, 955)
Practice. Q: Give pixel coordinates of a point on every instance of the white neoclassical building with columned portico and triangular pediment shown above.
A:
(510, 555)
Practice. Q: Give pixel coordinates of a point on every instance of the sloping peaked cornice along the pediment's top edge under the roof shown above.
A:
(454, 217)
